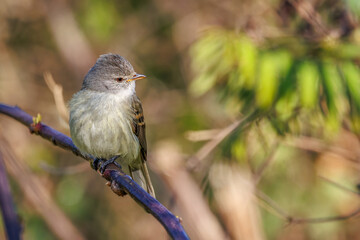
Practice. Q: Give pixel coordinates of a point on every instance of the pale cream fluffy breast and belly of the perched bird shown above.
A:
(101, 125)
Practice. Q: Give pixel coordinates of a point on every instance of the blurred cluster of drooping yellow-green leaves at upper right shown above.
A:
(281, 82)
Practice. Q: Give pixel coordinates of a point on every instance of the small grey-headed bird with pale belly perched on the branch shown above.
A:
(107, 121)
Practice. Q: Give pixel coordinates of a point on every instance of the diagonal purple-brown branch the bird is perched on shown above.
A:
(120, 182)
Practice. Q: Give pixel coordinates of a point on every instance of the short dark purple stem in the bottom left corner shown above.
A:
(10, 218)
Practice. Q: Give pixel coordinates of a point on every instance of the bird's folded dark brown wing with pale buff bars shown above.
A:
(139, 126)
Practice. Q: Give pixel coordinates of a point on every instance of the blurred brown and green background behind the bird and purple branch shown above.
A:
(252, 111)
